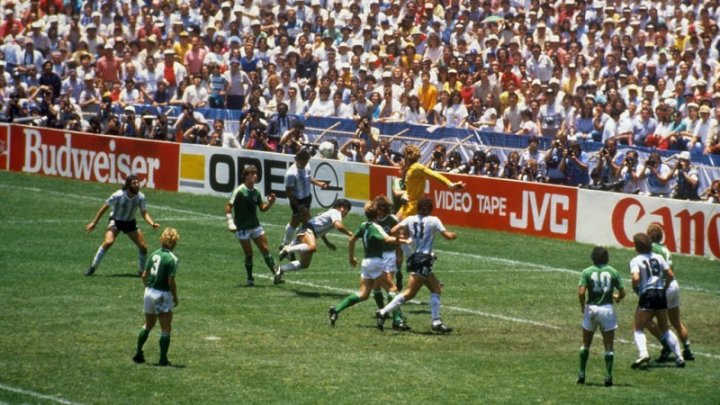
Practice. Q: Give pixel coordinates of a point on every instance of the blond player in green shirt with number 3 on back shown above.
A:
(160, 295)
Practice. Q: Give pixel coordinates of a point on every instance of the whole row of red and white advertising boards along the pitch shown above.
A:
(558, 212)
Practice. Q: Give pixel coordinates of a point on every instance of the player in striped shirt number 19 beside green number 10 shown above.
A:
(651, 276)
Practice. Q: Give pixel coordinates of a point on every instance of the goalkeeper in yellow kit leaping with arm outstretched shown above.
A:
(415, 176)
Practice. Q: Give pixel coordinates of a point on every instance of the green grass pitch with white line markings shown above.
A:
(512, 300)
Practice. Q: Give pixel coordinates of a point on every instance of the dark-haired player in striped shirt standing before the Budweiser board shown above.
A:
(123, 205)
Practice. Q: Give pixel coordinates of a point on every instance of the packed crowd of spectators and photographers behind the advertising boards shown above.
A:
(621, 72)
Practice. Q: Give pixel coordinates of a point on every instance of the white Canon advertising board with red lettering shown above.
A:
(691, 228)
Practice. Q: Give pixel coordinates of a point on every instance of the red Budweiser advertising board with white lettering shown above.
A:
(96, 158)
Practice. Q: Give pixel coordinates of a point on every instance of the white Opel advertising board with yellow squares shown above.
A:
(212, 170)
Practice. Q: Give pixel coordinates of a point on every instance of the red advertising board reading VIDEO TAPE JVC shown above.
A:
(504, 205)
